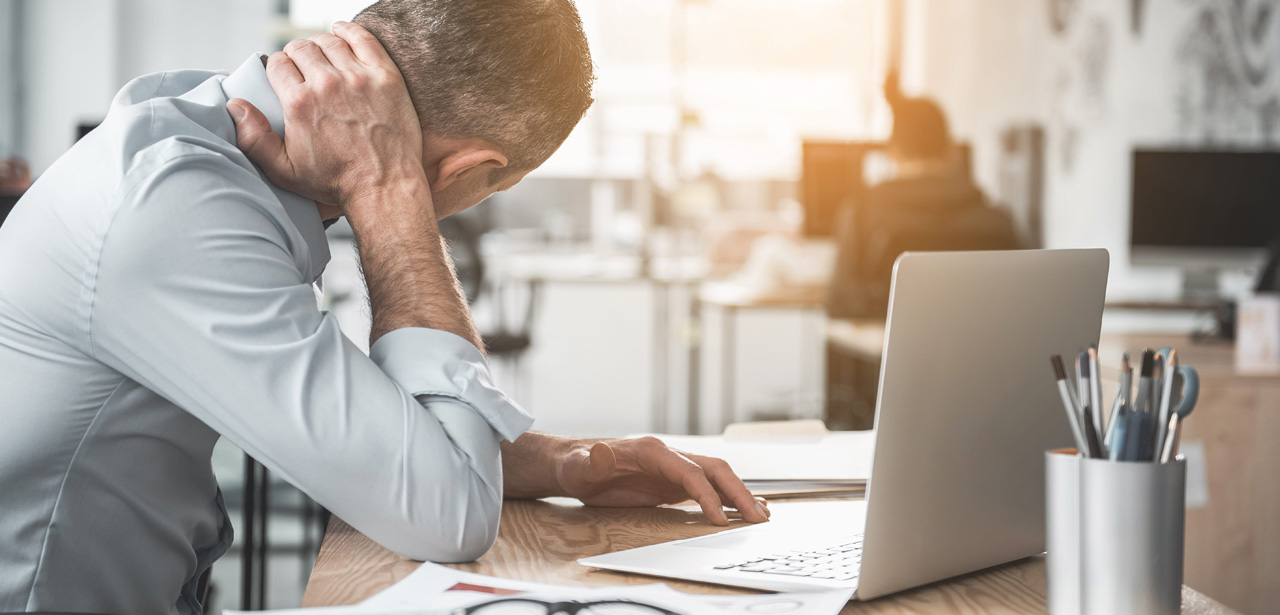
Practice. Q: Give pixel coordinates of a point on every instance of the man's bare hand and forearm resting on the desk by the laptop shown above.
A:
(633, 472)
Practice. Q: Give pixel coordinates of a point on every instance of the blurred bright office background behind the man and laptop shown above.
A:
(671, 268)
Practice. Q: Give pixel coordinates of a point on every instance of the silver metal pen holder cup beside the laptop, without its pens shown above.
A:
(1114, 534)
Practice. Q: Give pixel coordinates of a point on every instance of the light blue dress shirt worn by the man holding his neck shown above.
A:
(157, 294)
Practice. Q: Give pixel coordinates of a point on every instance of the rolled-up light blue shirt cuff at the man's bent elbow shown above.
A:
(432, 362)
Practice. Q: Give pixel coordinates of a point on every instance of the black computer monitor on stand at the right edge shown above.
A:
(1204, 211)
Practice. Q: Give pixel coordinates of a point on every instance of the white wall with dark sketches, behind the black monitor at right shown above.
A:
(1099, 89)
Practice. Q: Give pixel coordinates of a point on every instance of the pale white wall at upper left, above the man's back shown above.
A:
(77, 54)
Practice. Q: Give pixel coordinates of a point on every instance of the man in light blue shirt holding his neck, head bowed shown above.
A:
(156, 295)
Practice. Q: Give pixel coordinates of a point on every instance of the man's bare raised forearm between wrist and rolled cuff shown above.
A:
(406, 267)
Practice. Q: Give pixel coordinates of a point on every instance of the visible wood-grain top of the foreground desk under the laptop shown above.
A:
(542, 541)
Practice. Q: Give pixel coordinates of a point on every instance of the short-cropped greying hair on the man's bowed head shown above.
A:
(516, 74)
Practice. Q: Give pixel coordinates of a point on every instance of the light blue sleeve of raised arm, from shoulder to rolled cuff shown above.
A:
(199, 295)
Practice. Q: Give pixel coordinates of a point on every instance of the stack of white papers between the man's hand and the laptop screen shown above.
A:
(835, 457)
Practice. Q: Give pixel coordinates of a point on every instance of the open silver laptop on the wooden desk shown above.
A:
(967, 409)
